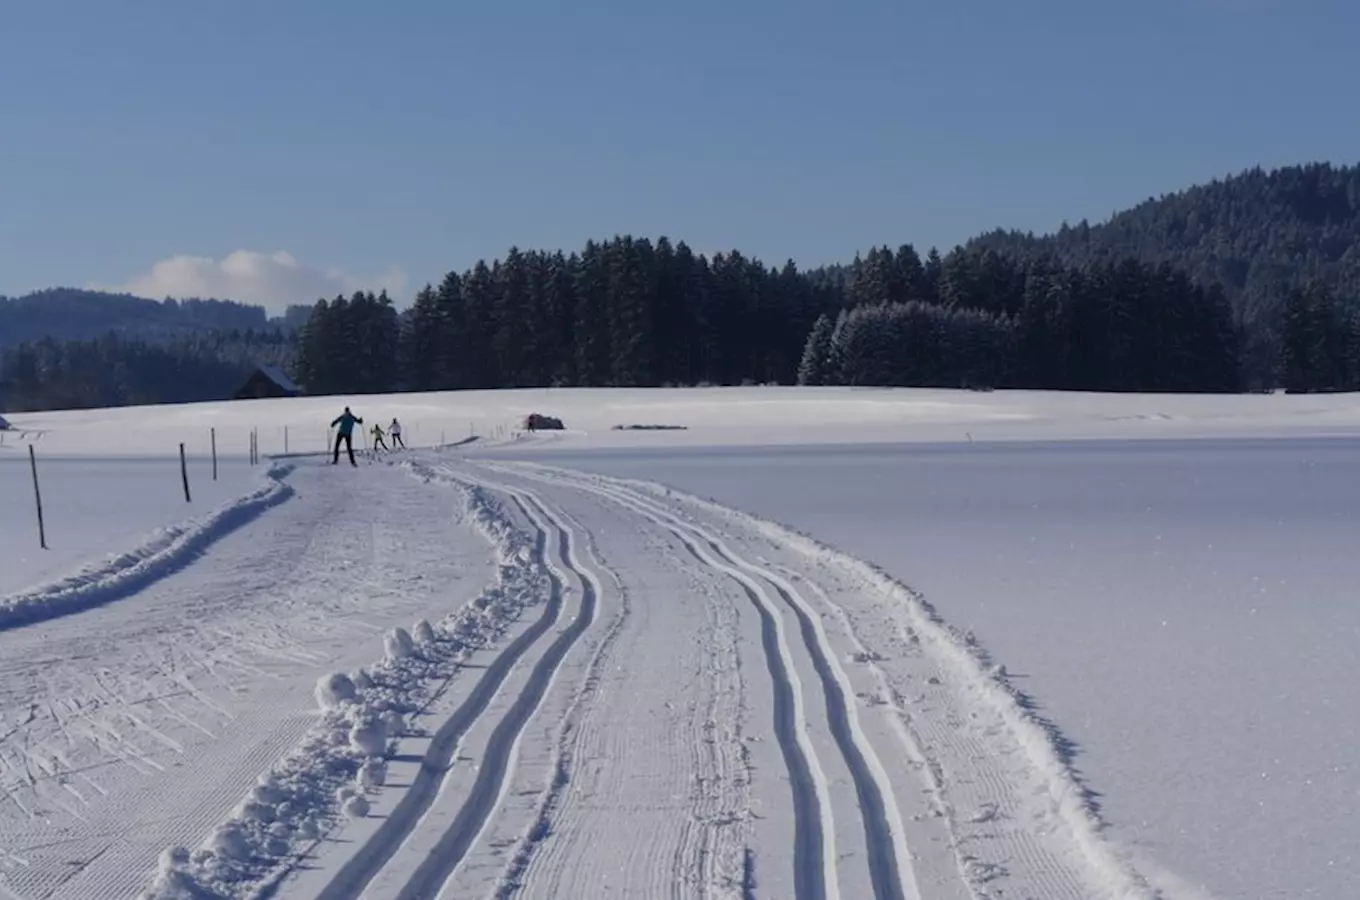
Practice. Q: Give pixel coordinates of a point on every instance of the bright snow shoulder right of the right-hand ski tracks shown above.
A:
(1017, 816)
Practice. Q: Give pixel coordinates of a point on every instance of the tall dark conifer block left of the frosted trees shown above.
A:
(628, 312)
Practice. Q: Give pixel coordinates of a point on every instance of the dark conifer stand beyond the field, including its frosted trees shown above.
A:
(633, 312)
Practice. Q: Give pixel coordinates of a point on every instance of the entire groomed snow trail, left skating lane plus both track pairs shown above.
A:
(658, 697)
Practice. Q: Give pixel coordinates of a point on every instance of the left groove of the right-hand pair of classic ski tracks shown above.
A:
(815, 833)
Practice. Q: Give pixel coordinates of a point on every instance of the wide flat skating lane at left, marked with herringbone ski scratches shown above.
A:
(135, 727)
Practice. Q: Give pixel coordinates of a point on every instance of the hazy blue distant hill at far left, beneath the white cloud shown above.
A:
(66, 315)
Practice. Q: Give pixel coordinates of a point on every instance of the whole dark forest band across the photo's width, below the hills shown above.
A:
(634, 312)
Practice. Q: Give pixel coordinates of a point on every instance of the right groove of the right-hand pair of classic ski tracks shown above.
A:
(890, 861)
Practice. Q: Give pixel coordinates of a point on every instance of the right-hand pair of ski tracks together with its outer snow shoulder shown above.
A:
(985, 807)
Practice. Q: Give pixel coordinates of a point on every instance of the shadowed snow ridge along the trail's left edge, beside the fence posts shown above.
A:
(168, 551)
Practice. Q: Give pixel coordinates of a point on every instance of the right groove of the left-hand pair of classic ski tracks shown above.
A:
(477, 812)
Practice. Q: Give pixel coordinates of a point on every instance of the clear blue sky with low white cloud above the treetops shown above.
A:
(353, 145)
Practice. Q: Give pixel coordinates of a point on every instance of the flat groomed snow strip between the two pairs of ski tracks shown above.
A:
(639, 784)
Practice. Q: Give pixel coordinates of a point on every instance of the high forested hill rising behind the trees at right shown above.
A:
(1260, 235)
